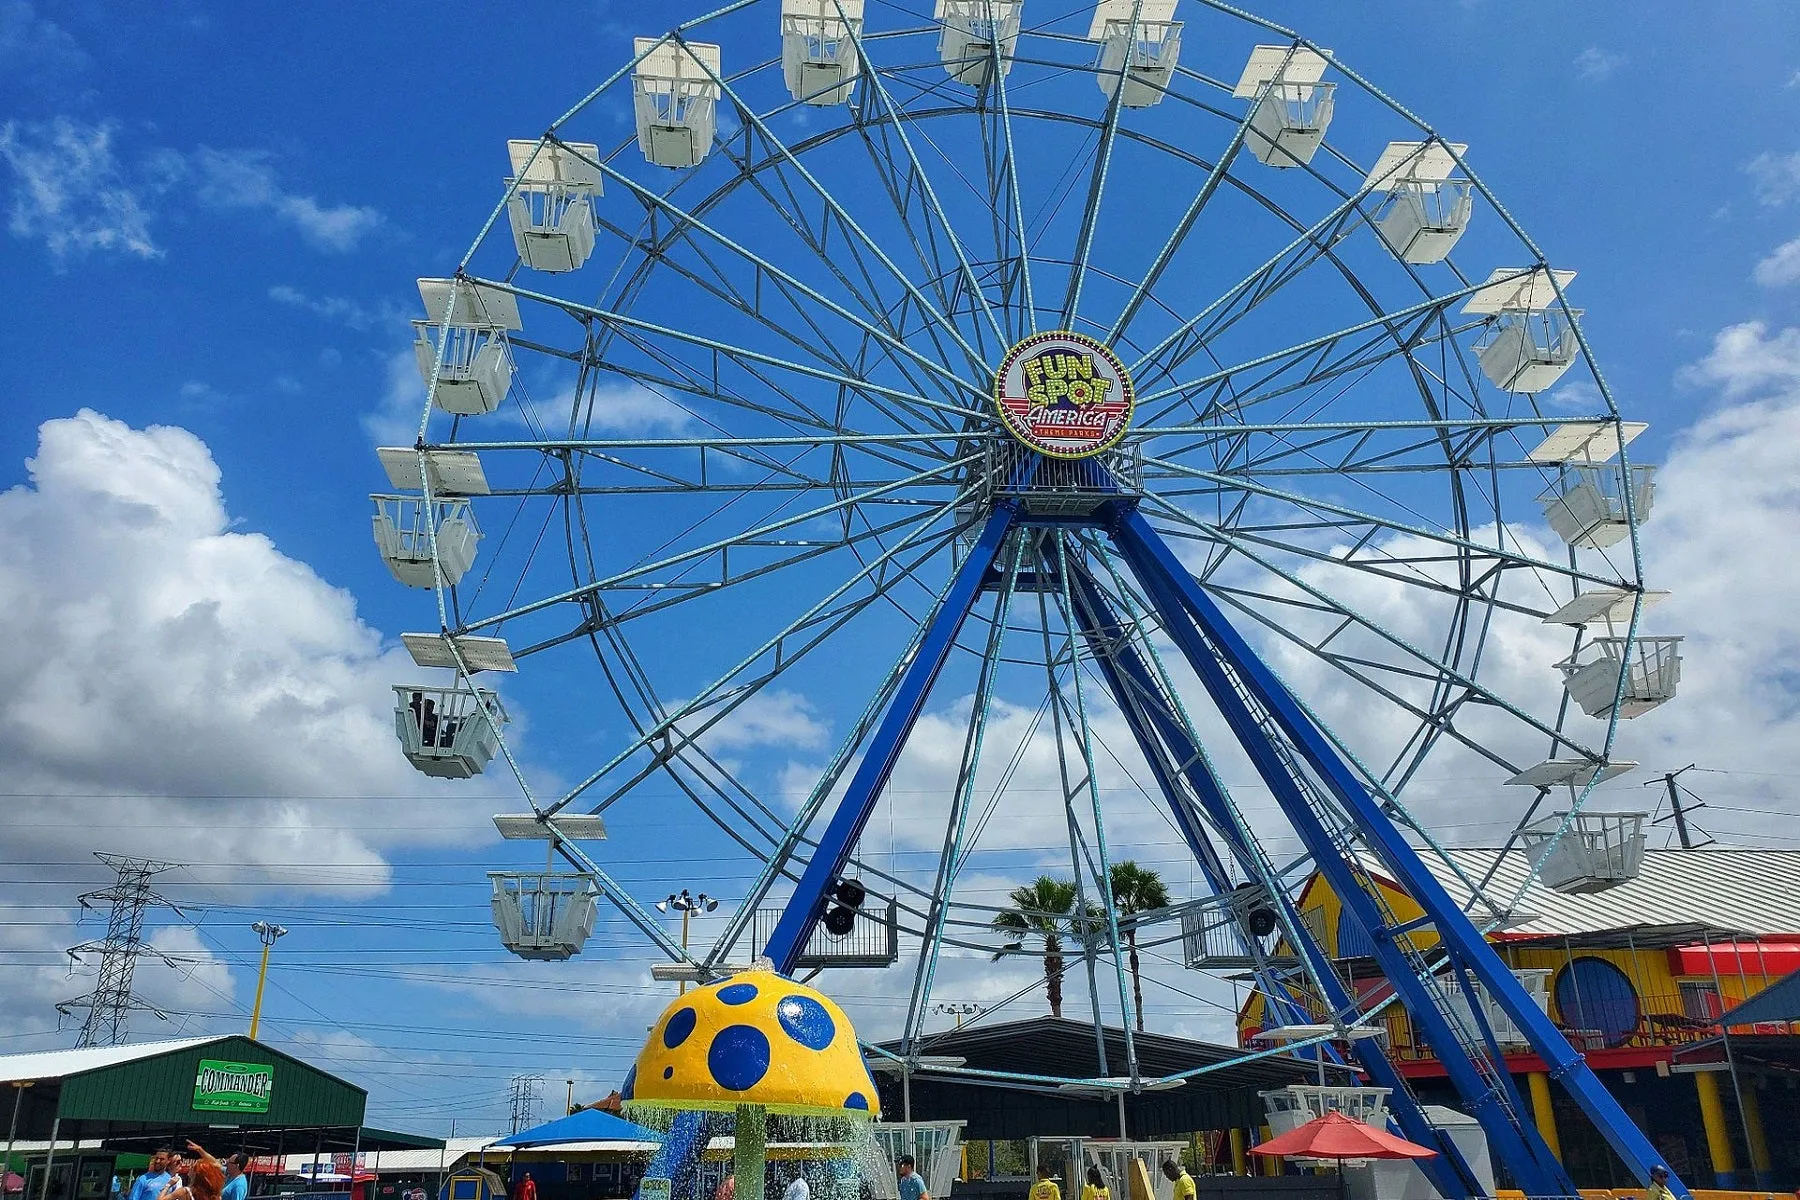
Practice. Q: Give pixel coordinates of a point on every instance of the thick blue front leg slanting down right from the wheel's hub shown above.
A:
(1212, 645)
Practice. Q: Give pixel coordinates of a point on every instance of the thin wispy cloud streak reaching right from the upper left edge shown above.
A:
(76, 193)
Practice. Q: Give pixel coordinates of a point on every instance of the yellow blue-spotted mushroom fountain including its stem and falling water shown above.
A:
(773, 1066)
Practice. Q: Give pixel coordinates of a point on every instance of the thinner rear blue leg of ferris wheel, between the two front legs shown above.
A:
(1138, 697)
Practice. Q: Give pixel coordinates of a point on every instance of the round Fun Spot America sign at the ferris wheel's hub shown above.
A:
(1065, 395)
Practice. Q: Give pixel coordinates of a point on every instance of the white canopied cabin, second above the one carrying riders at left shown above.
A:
(471, 325)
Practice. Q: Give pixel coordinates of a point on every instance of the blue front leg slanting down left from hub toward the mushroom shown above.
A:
(807, 904)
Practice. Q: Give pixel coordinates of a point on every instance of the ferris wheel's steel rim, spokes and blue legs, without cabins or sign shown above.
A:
(1326, 793)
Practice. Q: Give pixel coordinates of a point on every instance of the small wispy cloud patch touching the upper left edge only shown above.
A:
(71, 193)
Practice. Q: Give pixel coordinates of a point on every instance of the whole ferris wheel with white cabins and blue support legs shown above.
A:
(1128, 402)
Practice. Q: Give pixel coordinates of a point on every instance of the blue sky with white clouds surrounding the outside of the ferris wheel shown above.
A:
(215, 217)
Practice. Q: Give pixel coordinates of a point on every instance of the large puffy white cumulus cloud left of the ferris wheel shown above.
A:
(181, 690)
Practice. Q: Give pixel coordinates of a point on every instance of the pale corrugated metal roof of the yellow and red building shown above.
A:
(1747, 891)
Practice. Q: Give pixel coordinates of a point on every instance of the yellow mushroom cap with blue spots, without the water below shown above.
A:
(755, 1039)
